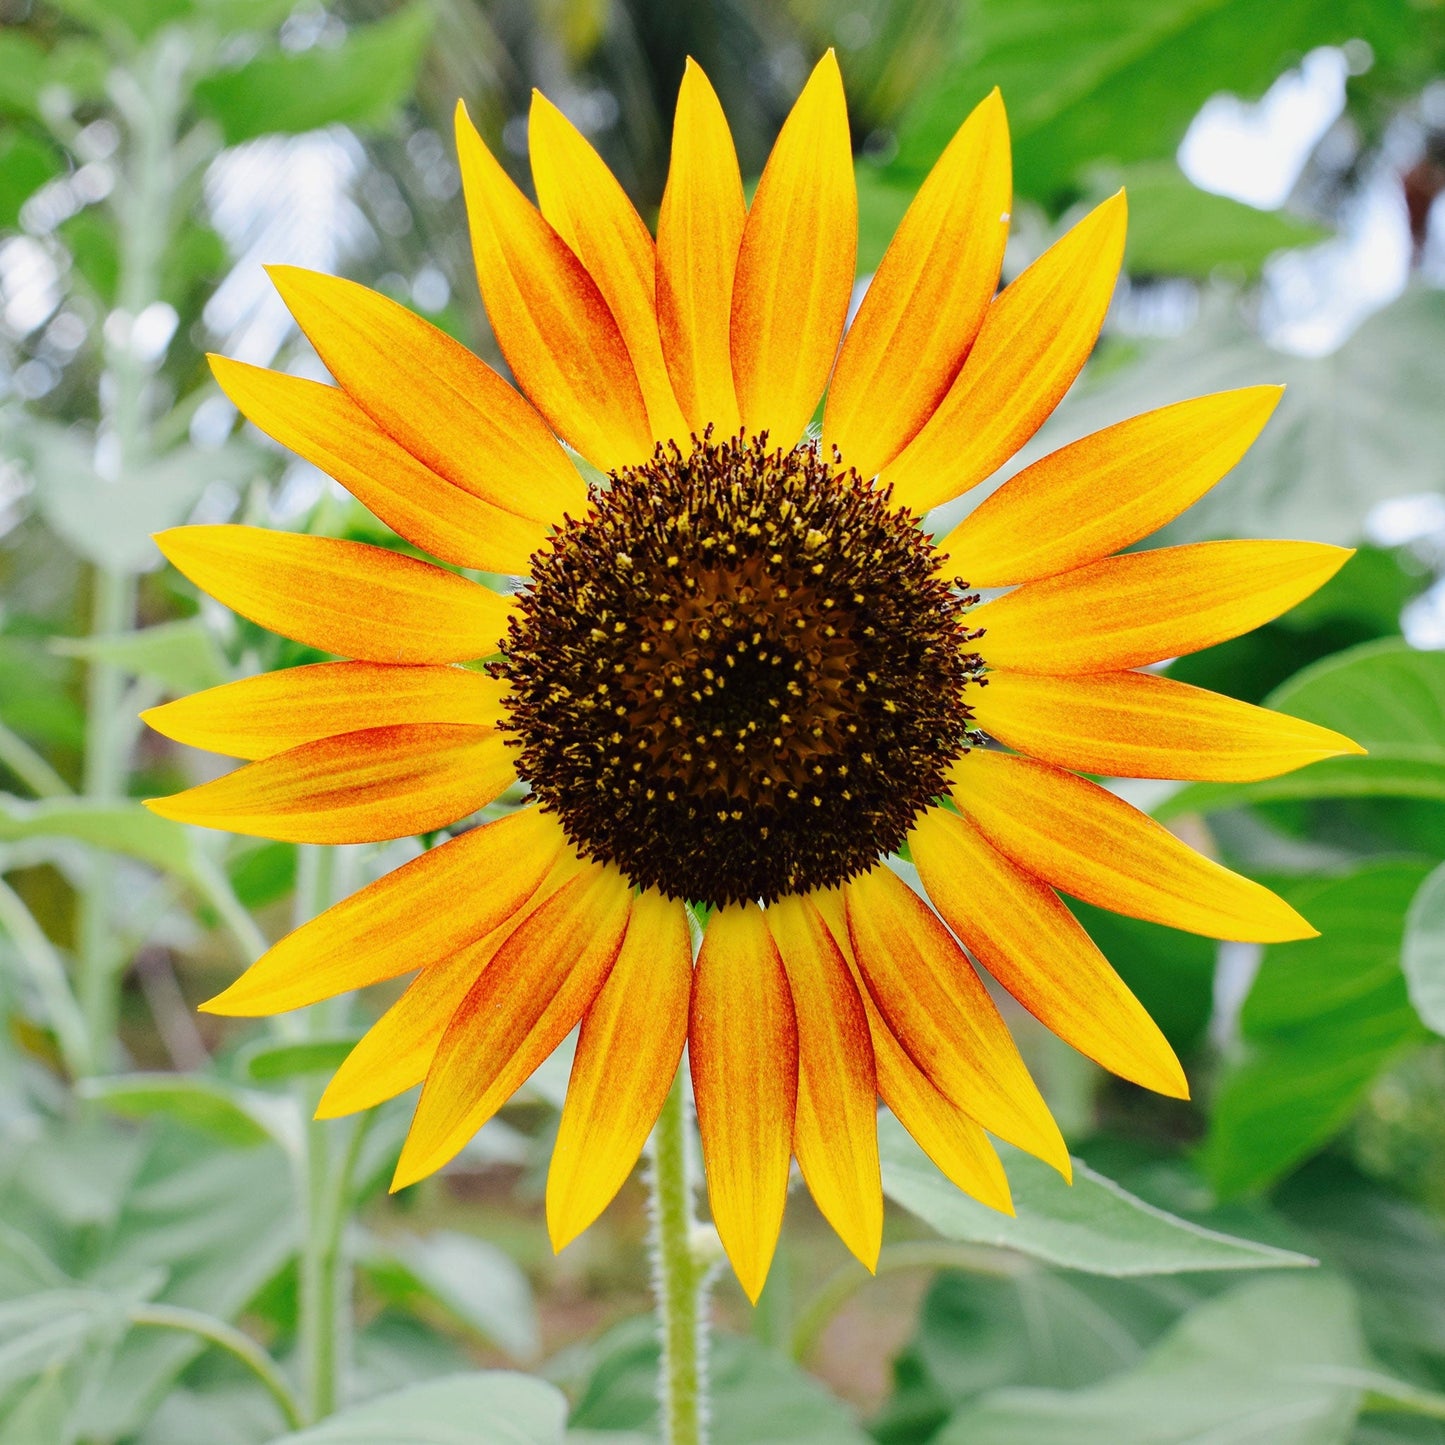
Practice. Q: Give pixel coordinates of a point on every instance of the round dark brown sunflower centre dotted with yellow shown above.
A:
(741, 676)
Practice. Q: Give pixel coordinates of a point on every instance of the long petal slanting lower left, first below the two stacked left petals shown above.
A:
(411, 918)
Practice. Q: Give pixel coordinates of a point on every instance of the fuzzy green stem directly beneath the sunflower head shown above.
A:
(680, 1280)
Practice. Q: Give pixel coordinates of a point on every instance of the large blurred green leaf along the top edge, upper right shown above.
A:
(1121, 80)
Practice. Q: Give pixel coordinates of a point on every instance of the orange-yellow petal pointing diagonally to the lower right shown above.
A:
(1035, 947)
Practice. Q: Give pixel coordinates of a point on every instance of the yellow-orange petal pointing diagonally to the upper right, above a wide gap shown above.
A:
(1035, 339)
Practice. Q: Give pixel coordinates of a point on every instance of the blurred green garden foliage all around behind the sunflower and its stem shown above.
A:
(165, 1206)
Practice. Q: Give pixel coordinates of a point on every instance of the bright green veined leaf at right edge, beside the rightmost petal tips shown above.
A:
(1388, 697)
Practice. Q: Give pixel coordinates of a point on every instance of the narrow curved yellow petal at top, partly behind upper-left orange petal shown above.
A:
(583, 202)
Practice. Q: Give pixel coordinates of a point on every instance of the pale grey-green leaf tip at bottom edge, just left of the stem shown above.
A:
(506, 1410)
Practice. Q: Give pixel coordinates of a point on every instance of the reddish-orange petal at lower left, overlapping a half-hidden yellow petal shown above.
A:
(522, 1006)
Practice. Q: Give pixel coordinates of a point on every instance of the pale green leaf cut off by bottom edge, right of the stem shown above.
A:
(1271, 1362)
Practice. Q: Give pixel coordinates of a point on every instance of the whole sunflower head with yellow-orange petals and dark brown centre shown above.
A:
(738, 674)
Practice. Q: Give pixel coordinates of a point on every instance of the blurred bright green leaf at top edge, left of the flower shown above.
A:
(362, 83)
